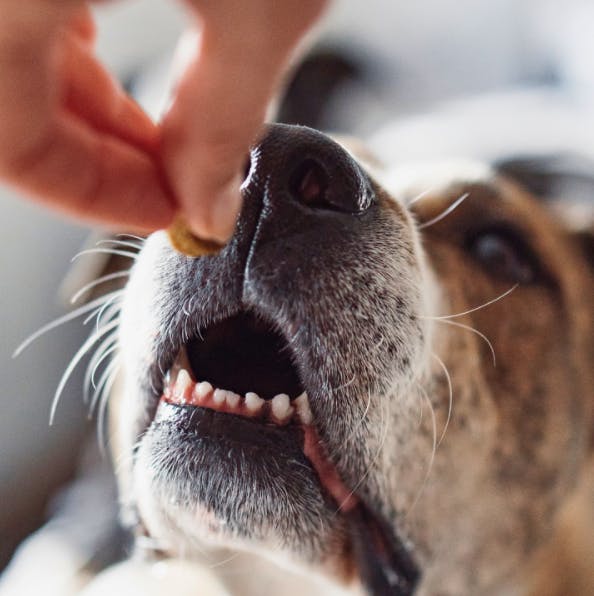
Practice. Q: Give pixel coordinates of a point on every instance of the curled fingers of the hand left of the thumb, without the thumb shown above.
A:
(69, 135)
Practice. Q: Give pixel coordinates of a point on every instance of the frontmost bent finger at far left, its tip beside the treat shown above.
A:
(55, 156)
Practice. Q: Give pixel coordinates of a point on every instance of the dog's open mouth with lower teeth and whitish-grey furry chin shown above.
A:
(220, 464)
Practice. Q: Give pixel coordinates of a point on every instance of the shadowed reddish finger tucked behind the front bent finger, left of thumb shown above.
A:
(96, 97)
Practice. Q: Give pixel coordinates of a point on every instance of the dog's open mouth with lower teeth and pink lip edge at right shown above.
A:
(243, 367)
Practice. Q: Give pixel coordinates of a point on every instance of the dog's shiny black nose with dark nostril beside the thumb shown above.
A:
(303, 165)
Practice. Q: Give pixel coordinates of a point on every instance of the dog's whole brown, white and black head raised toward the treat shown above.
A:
(360, 382)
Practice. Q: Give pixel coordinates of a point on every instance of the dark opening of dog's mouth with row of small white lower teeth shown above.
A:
(239, 366)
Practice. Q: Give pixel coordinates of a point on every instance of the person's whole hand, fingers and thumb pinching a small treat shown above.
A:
(71, 138)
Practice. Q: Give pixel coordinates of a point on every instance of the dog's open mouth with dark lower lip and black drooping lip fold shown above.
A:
(238, 382)
